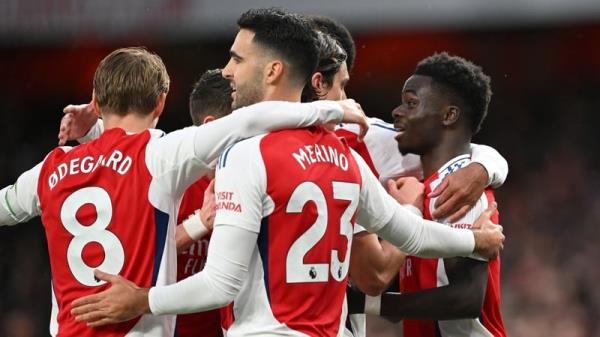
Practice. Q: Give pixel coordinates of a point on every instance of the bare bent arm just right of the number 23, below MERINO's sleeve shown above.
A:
(374, 263)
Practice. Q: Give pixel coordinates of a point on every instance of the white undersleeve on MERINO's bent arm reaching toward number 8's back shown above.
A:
(229, 253)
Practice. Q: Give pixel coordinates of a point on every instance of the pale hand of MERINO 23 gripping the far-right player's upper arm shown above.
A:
(489, 239)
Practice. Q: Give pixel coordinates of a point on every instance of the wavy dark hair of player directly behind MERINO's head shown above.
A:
(331, 58)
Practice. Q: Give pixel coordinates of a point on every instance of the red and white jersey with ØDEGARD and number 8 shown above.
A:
(95, 200)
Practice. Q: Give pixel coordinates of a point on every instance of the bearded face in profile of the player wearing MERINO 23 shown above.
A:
(244, 70)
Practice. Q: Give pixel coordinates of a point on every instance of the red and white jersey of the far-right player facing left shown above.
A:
(419, 274)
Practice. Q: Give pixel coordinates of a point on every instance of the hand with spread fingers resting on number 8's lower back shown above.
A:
(121, 302)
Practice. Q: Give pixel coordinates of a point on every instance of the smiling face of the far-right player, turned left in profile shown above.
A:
(418, 119)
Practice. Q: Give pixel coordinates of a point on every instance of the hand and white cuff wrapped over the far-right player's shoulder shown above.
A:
(460, 190)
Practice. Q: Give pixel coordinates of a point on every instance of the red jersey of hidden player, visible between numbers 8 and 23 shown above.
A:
(190, 262)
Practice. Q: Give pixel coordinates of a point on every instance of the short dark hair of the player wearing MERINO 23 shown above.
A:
(289, 35)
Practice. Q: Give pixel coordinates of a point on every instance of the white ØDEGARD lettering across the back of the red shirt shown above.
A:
(88, 164)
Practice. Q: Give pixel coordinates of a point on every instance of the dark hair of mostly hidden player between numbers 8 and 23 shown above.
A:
(211, 95)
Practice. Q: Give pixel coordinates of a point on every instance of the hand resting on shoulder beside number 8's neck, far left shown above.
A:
(76, 122)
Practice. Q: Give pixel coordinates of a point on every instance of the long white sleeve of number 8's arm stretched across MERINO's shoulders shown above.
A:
(183, 156)
